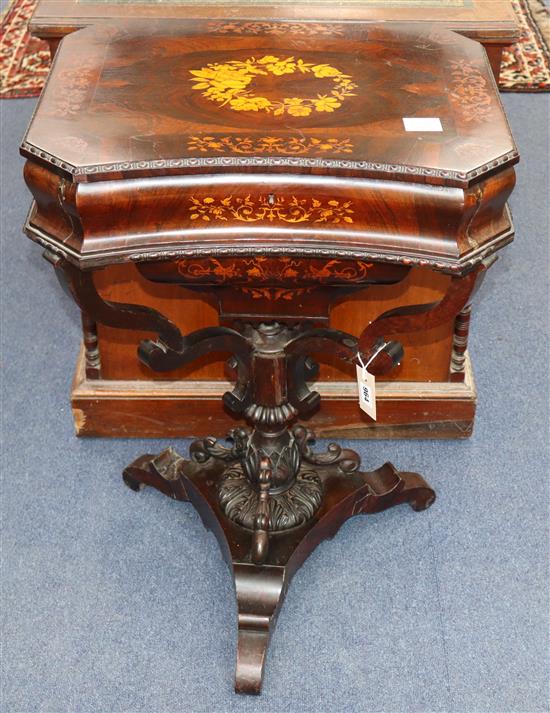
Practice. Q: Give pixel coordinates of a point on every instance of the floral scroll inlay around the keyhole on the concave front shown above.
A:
(271, 208)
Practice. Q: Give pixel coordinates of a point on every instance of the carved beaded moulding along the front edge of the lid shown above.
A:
(369, 167)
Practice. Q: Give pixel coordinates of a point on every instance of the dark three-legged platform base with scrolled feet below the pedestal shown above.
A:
(260, 589)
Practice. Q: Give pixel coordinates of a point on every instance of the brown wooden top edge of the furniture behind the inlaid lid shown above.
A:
(491, 22)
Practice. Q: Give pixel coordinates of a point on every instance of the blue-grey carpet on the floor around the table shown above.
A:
(114, 601)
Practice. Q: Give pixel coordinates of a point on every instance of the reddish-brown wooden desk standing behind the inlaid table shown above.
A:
(430, 394)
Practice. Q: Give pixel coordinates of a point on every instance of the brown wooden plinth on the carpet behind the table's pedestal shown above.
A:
(177, 409)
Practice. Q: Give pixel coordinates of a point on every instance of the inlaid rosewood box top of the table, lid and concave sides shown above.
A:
(340, 141)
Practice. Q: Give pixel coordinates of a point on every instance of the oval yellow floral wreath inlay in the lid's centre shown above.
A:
(230, 84)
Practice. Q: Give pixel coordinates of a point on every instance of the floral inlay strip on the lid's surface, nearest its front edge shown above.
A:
(281, 145)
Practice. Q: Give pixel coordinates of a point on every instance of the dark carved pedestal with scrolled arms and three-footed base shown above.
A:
(268, 496)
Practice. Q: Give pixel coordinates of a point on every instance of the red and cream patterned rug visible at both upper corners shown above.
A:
(24, 60)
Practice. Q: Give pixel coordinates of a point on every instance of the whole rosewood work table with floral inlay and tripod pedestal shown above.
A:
(276, 240)
